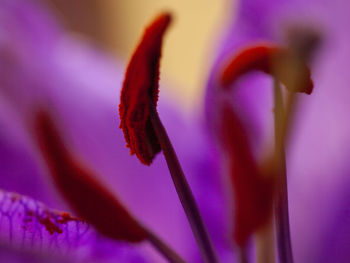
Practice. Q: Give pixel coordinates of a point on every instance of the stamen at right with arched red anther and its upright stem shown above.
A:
(288, 66)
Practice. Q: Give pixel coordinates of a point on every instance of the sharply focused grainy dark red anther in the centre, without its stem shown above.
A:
(140, 88)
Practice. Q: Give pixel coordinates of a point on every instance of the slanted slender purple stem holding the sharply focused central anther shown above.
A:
(184, 192)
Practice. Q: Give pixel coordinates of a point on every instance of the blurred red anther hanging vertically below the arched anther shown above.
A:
(253, 192)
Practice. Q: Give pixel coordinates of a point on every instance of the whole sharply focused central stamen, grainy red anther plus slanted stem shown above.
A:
(144, 132)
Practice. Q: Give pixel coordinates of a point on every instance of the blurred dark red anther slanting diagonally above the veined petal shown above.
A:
(86, 195)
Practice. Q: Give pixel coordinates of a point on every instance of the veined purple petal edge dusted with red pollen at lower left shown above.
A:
(27, 224)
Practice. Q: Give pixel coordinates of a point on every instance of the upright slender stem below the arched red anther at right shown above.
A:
(281, 120)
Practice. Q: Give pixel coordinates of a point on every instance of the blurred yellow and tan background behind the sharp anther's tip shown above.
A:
(188, 47)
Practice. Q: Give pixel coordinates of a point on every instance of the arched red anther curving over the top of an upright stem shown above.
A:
(266, 58)
